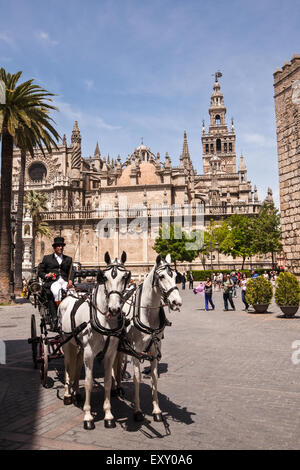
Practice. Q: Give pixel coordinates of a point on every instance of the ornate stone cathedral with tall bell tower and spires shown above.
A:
(101, 204)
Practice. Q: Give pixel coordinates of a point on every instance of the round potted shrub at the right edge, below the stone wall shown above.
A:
(287, 294)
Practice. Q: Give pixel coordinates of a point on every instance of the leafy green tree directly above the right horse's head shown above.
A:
(181, 246)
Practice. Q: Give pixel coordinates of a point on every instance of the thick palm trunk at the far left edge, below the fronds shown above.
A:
(5, 215)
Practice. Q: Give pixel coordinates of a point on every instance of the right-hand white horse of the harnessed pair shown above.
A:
(147, 325)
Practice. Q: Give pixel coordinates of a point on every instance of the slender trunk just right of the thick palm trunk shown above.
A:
(19, 221)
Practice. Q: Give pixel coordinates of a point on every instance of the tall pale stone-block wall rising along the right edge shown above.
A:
(287, 109)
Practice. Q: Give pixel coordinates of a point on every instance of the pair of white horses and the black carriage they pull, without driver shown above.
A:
(113, 319)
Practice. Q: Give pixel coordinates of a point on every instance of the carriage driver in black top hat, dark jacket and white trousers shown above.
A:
(56, 270)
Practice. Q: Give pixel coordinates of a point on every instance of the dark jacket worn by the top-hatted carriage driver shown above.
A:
(49, 264)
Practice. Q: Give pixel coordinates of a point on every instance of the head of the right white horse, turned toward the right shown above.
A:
(165, 279)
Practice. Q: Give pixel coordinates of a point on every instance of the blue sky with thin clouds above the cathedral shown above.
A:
(127, 69)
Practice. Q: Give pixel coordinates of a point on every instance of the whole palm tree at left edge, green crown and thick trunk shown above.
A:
(24, 120)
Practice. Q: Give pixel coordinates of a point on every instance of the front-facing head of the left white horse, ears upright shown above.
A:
(115, 279)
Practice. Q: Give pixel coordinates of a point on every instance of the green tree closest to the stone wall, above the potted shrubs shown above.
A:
(267, 230)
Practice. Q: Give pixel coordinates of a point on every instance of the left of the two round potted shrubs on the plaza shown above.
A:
(259, 293)
